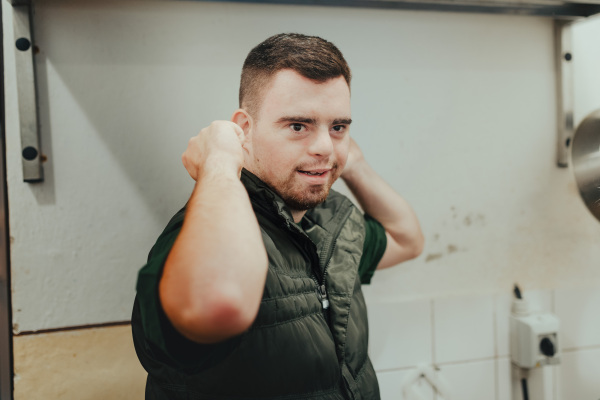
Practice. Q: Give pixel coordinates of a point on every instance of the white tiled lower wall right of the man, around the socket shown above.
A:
(465, 340)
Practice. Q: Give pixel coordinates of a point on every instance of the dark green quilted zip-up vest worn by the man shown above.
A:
(309, 340)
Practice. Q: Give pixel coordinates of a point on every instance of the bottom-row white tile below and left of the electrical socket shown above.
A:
(469, 381)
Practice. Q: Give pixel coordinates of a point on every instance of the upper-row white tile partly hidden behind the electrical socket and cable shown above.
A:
(539, 301)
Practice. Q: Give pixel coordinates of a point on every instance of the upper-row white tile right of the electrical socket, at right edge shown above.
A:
(577, 310)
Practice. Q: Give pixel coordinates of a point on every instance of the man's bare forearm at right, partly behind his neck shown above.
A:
(383, 203)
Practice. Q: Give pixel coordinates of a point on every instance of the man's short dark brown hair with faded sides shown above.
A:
(310, 56)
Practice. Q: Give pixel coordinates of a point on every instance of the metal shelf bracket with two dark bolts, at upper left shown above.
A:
(31, 155)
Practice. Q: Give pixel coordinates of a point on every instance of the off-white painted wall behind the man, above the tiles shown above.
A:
(456, 111)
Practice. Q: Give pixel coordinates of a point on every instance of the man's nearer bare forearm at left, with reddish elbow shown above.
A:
(214, 276)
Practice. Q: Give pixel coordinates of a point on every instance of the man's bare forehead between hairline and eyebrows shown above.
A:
(289, 93)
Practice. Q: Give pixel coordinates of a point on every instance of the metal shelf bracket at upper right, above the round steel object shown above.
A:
(564, 84)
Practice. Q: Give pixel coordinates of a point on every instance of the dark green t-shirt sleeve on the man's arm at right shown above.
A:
(373, 249)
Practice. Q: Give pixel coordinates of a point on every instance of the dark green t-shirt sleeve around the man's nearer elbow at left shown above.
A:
(168, 345)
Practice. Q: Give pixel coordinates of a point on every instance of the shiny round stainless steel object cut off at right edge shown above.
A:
(585, 156)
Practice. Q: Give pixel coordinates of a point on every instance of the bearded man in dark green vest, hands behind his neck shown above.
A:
(253, 289)
